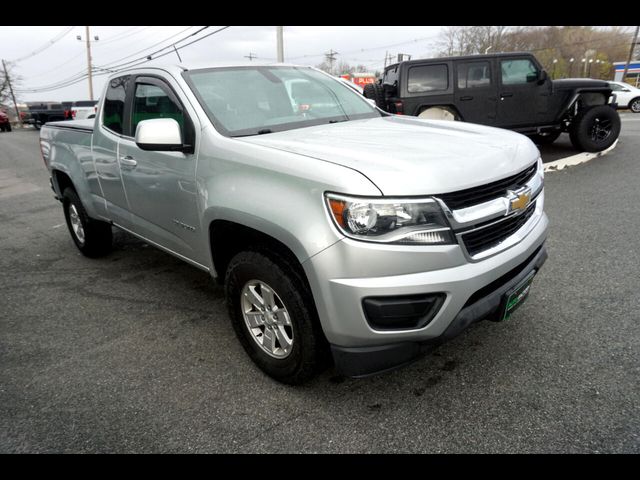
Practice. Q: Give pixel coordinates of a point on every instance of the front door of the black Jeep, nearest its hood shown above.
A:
(522, 100)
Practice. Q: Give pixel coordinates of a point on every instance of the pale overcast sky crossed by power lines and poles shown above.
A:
(65, 56)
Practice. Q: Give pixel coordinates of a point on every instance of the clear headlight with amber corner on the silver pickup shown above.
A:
(399, 221)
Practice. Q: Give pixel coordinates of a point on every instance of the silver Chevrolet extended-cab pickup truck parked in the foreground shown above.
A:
(340, 232)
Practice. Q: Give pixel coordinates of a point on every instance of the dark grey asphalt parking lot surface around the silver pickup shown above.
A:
(135, 353)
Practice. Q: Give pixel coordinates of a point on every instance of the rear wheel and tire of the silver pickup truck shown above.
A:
(94, 239)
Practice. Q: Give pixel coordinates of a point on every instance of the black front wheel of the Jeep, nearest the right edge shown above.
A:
(595, 129)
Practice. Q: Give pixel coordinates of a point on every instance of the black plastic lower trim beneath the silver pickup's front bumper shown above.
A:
(365, 361)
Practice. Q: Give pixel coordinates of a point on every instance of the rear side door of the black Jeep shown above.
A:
(476, 91)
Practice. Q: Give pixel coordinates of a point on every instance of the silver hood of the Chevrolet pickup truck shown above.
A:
(410, 156)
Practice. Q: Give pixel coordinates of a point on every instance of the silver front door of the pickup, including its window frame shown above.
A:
(160, 185)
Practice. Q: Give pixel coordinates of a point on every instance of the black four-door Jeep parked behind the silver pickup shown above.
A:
(507, 90)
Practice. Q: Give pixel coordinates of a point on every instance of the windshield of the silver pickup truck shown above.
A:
(243, 101)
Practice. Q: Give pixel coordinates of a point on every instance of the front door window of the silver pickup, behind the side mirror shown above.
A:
(152, 101)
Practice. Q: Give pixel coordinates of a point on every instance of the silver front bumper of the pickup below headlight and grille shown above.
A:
(344, 274)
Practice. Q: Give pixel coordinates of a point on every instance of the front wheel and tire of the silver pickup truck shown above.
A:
(307, 352)
